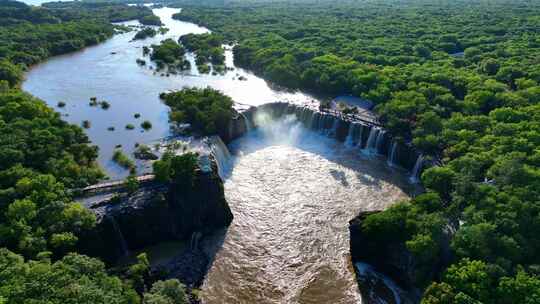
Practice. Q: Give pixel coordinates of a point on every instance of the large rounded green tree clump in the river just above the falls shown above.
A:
(208, 111)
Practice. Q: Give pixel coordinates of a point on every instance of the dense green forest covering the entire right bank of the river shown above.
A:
(458, 79)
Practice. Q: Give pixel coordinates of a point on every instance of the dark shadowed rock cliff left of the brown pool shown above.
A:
(152, 215)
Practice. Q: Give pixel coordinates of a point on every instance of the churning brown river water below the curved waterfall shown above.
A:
(292, 192)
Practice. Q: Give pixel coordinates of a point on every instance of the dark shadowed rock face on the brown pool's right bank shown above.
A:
(394, 260)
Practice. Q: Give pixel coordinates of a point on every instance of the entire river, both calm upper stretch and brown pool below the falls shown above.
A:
(292, 191)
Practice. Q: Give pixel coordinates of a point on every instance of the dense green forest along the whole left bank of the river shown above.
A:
(42, 157)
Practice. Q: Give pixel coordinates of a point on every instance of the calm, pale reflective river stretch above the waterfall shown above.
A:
(109, 72)
